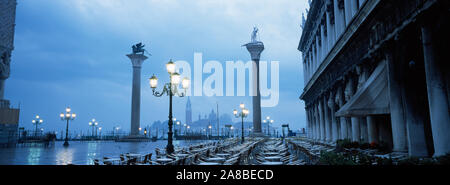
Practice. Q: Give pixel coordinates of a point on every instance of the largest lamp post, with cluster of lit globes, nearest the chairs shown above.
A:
(170, 89)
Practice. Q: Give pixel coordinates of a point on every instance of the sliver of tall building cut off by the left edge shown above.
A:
(9, 117)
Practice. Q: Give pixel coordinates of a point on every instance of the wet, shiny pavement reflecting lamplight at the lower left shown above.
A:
(80, 153)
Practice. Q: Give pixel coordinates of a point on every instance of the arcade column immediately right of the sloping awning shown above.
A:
(395, 104)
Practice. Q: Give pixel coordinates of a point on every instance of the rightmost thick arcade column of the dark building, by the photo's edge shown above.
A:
(437, 92)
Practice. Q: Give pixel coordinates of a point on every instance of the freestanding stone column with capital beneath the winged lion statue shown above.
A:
(136, 61)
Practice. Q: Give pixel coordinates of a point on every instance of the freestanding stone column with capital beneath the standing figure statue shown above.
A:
(255, 50)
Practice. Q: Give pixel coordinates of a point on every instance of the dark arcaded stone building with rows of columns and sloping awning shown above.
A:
(375, 71)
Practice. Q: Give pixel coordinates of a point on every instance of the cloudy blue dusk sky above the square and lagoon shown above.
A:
(73, 53)
